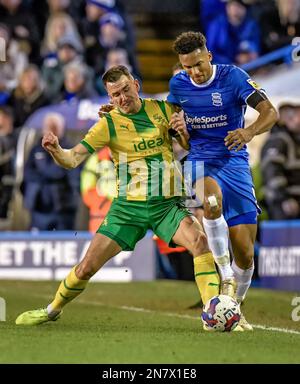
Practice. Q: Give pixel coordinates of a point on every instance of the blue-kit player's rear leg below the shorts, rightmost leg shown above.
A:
(242, 239)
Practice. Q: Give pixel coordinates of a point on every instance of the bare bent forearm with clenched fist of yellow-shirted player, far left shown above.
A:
(66, 158)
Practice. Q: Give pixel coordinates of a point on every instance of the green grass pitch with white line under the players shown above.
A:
(144, 322)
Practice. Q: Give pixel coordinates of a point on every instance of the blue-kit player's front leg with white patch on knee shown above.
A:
(216, 230)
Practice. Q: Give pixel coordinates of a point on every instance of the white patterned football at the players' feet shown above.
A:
(221, 313)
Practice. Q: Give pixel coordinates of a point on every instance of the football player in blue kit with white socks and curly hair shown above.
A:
(214, 99)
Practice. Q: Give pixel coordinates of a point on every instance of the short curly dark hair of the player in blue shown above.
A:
(187, 42)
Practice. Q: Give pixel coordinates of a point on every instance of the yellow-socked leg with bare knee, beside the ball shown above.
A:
(191, 235)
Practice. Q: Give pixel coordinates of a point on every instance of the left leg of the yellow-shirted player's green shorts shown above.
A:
(126, 223)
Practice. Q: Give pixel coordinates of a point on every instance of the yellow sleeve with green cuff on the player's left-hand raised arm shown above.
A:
(97, 136)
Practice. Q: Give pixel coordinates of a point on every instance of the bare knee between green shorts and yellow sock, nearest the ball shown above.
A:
(191, 235)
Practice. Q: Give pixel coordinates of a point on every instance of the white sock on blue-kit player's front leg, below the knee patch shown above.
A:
(217, 237)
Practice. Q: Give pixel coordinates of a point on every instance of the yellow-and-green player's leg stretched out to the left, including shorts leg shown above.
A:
(115, 234)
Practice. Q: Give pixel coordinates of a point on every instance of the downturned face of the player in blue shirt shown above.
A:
(197, 64)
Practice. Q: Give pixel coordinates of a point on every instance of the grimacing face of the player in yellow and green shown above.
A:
(124, 94)
